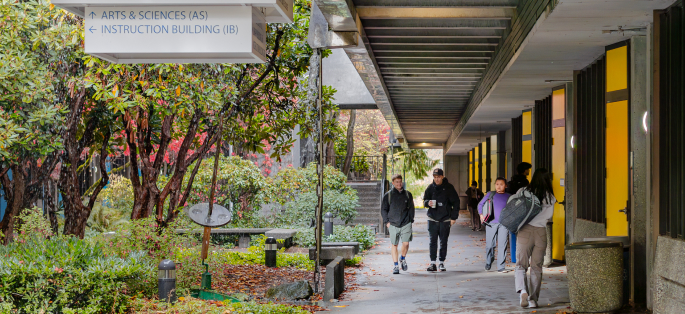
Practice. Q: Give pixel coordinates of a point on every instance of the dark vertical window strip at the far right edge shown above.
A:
(672, 114)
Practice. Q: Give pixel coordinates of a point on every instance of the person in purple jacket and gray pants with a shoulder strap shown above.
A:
(495, 234)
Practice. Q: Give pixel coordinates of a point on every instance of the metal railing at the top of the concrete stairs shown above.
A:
(362, 168)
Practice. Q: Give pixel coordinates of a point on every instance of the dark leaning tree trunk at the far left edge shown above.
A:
(14, 194)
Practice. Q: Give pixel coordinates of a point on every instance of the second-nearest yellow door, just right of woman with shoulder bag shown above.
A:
(559, 172)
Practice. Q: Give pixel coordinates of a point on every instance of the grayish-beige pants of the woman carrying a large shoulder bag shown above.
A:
(530, 245)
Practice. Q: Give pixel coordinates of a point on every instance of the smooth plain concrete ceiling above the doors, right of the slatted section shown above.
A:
(568, 38)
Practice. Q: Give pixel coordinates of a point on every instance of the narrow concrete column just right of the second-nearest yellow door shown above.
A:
(570, 131)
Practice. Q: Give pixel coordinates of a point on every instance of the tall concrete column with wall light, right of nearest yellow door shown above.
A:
(638, 145)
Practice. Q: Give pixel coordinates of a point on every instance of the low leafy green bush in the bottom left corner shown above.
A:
(68, 275)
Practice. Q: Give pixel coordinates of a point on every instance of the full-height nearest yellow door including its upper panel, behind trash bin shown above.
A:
(617, 147)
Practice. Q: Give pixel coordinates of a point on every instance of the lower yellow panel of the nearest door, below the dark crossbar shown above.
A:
(617, 179)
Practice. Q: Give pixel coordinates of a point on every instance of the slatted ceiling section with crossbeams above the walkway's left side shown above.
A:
(431, 54)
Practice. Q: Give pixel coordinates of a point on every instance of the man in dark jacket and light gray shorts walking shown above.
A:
(398, 212)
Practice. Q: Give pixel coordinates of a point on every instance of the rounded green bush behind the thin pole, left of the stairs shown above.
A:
(295, 188)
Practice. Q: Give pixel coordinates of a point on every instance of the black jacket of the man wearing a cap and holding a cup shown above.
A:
(446, 197)
